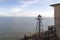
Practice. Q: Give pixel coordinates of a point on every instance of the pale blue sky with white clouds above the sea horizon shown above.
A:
(27, 8)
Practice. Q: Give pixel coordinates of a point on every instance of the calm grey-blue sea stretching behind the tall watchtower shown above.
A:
(14, 28)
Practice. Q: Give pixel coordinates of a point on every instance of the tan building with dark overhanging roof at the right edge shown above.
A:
(57, 18)
